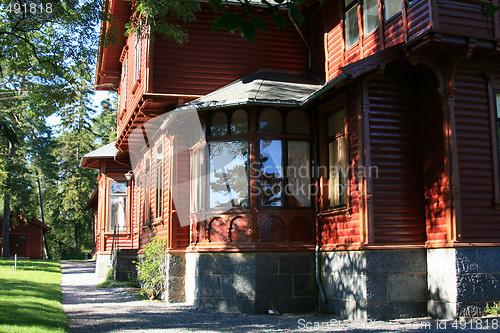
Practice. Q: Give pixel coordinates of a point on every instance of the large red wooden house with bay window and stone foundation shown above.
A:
(387, 113)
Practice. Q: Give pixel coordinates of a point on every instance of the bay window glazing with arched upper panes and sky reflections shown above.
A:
(281, 165)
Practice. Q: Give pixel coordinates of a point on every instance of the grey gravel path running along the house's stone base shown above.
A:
(92, 309)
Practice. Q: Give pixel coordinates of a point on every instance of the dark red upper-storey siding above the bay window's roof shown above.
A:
(211, 60)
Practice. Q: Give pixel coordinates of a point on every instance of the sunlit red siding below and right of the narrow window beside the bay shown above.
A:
(343, 228)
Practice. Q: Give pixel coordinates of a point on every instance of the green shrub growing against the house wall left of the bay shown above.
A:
(151, 269)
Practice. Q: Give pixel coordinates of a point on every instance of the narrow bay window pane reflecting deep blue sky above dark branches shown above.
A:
(271, 172)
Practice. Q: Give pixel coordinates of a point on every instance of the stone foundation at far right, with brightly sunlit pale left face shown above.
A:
(462, 281)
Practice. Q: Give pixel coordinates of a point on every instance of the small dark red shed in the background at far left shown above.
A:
(25, 238)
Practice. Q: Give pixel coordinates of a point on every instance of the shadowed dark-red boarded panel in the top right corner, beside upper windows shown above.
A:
(464, 18)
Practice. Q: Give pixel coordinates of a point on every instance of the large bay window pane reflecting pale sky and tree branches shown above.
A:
(229, 174)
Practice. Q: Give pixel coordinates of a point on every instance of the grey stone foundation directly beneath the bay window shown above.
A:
(252, 282)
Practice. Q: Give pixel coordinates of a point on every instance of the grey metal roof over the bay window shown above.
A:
(264, 87)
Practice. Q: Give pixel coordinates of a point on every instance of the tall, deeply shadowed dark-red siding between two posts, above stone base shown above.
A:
(398, 200)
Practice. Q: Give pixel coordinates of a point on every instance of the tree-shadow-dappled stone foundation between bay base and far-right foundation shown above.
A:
(375, 284)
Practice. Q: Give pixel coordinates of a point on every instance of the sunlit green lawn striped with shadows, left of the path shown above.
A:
(30, 298)
